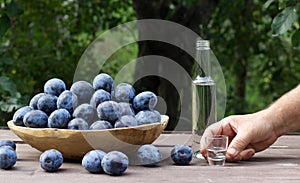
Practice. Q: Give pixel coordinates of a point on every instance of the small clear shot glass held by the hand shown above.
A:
(216, 147)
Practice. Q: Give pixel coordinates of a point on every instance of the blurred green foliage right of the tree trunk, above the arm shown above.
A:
(259, 38)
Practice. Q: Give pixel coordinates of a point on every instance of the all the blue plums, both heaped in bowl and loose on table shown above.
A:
(95, 106)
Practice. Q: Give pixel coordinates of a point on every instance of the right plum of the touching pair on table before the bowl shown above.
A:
(115, 163)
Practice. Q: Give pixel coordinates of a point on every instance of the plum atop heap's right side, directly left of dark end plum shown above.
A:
(123, 92)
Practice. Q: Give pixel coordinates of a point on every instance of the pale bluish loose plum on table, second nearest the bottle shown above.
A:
(149, 155)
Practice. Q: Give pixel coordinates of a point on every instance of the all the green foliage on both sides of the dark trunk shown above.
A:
(44, 39)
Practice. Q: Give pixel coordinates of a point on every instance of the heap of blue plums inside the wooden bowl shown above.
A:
(85, 106)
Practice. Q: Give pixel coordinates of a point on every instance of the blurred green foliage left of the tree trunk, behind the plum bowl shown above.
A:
(45, 39)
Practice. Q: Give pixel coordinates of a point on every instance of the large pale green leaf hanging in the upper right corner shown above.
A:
(284, 20)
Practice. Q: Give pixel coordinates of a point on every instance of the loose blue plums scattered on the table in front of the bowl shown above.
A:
(97, 161)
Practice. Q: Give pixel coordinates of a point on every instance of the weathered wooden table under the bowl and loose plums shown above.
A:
(279, 163)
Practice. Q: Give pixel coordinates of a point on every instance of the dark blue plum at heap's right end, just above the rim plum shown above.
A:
(146, 100)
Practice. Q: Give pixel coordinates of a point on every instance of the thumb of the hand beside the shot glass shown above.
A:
(237, 145)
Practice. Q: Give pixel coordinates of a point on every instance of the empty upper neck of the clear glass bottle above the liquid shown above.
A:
(203, 65)
